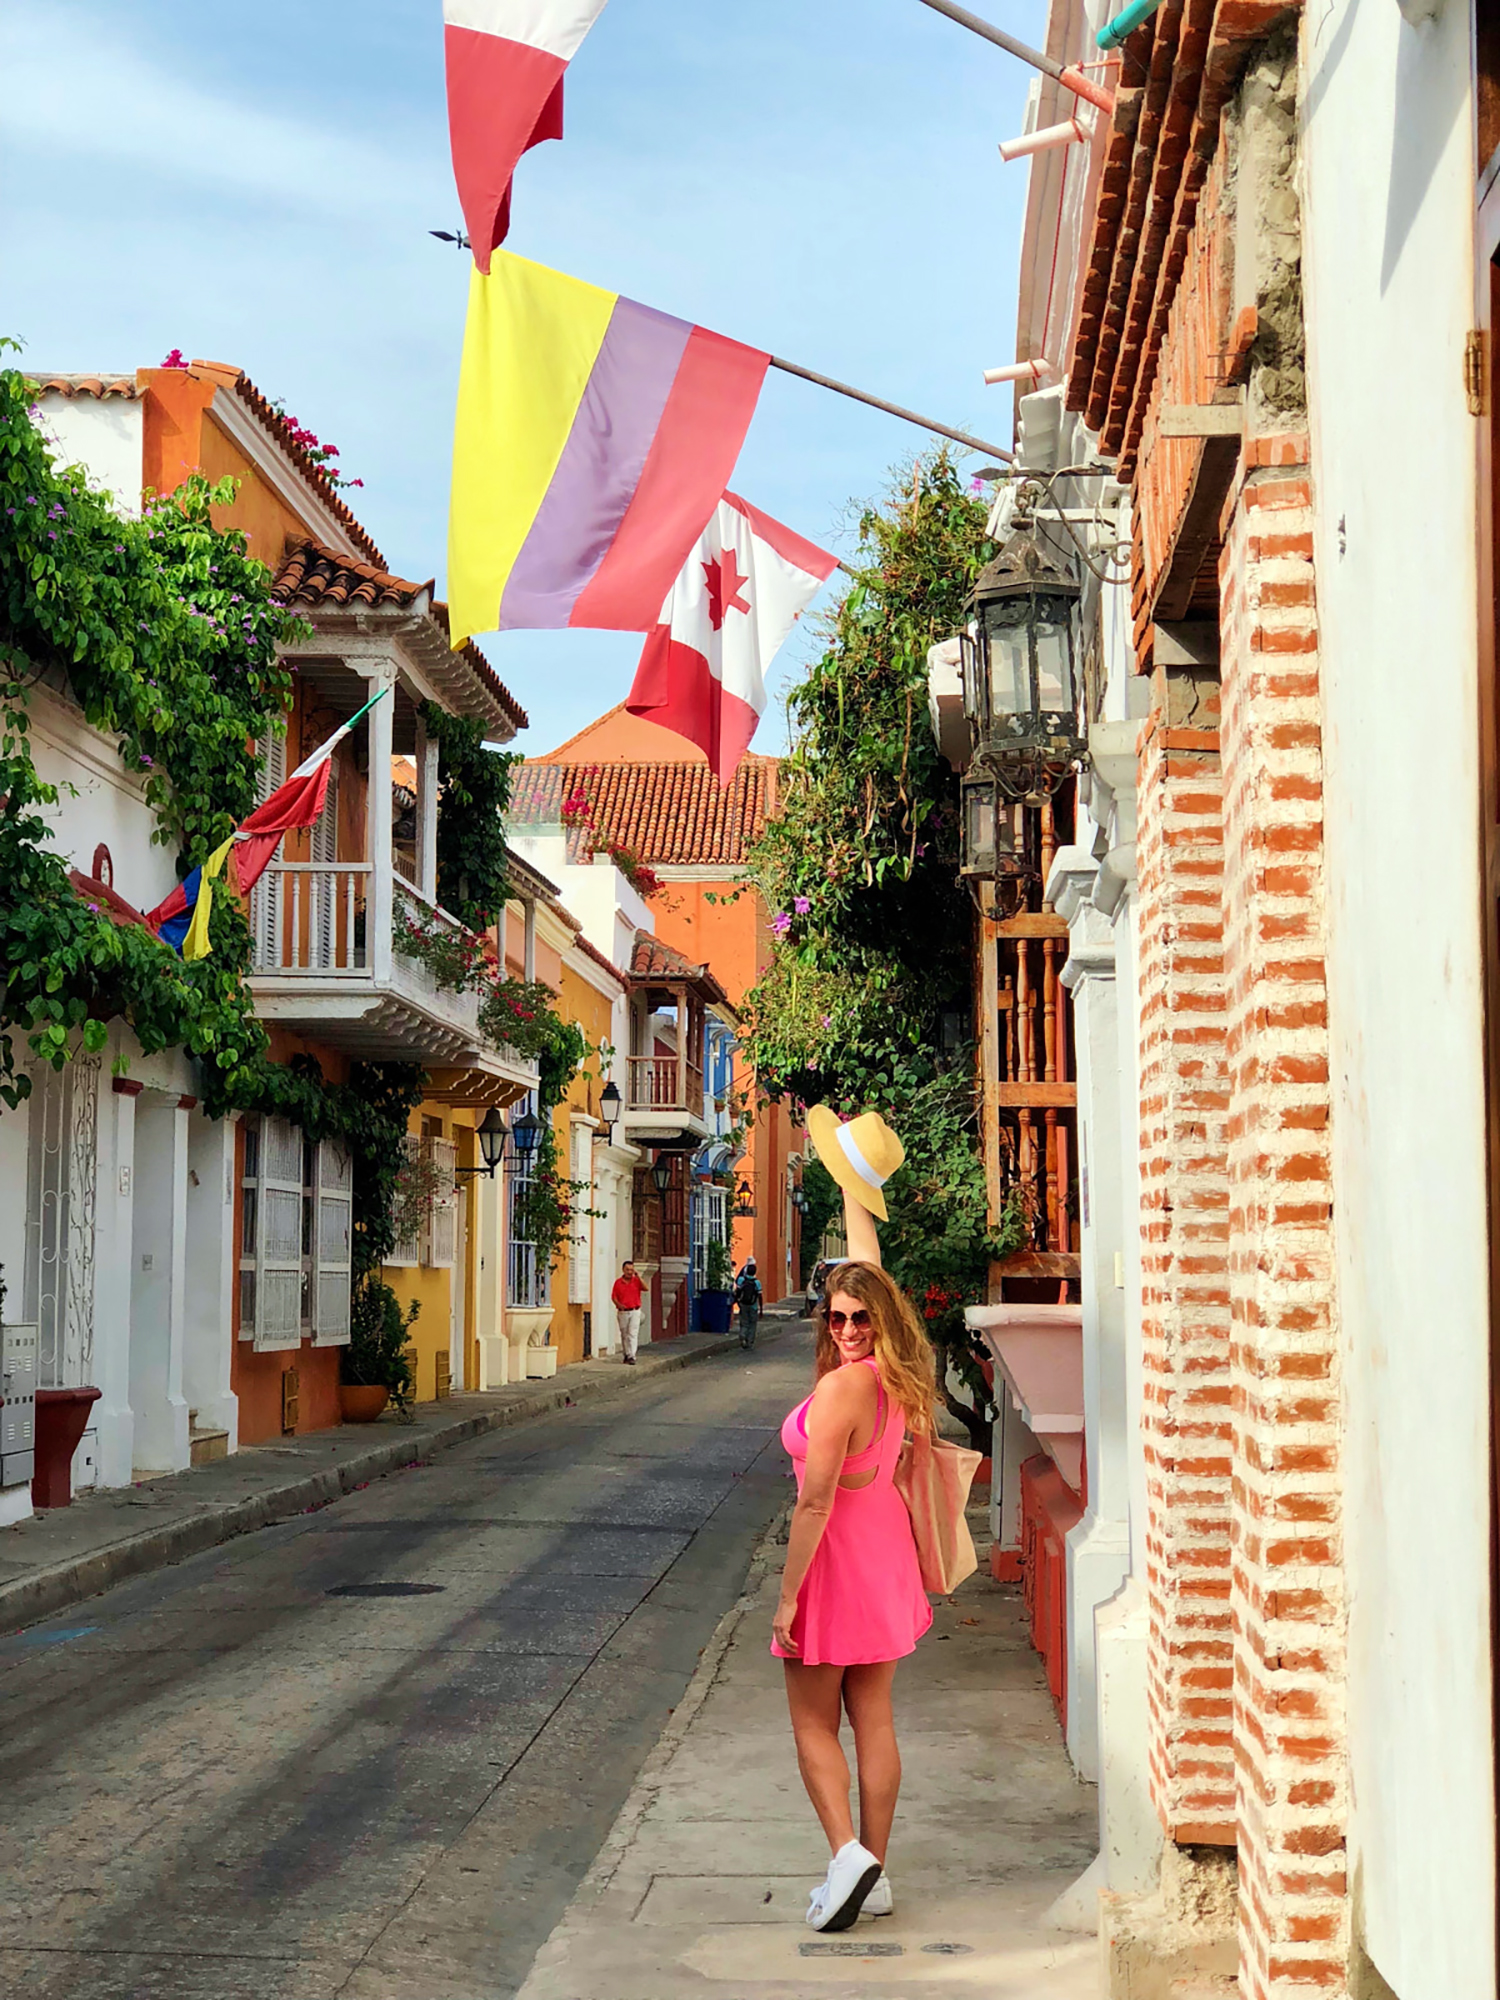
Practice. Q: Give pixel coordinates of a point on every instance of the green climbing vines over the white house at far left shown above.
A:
(165, 633)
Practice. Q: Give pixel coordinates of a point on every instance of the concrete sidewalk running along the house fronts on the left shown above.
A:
(67, 1555)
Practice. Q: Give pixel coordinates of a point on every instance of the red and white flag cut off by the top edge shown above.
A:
(505, 95)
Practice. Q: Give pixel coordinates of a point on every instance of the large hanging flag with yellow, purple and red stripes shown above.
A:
(593, 443)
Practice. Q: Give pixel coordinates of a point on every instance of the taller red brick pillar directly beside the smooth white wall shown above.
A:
(1289, 1615)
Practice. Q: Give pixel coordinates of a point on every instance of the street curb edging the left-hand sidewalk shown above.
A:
(69, 1583)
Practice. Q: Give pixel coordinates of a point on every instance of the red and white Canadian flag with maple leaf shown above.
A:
(703, 671)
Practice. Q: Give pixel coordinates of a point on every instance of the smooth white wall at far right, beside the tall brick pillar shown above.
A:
(1389, 191)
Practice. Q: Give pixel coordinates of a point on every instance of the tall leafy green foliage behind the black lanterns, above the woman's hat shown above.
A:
(871, 923)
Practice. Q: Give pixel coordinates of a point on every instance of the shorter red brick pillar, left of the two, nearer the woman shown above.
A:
(1185, 1279)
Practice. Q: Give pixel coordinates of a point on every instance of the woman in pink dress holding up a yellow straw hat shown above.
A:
(853, 1601)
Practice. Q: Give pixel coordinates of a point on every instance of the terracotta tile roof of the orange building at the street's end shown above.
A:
(667, 815)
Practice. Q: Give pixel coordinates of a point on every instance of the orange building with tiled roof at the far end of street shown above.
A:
(653, 797)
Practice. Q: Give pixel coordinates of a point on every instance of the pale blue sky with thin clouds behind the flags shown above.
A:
(255, 185)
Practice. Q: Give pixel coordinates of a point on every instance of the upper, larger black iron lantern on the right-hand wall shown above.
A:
(1021, 683)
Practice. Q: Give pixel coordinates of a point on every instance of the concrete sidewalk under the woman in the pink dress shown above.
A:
(703, 1885)
